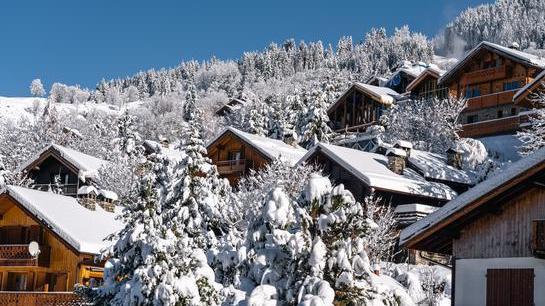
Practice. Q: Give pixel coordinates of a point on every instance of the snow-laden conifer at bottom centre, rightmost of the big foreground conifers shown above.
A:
(339, 256)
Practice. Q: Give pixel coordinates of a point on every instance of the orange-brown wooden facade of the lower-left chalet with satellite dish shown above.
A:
(58, 267)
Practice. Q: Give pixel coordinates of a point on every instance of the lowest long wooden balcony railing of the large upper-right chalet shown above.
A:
(490, 127)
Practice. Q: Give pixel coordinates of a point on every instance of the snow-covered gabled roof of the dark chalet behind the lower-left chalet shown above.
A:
(87, 165)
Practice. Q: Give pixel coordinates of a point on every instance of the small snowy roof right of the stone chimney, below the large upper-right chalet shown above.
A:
(435, 166)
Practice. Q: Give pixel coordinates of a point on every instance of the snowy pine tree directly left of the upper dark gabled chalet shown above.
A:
(316, 128)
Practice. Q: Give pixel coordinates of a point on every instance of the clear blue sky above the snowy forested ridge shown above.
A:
(81, 42)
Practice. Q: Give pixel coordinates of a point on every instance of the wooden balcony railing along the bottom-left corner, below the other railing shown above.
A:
(11, 298)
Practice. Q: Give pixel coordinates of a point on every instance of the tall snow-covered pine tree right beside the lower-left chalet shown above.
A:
(142, 267)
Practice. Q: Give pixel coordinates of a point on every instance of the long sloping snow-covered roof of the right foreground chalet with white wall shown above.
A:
(488, 186)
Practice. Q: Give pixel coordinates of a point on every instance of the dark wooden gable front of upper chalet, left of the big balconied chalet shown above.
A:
(355, 110)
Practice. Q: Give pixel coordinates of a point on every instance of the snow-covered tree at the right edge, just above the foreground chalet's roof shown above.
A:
(533, 135)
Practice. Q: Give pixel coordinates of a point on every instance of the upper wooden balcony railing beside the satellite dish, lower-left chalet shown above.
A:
(18, 255)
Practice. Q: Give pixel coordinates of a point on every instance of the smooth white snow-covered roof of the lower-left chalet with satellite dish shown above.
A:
(82, 228)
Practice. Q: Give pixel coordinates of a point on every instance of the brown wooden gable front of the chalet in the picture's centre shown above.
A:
(234, 157)
